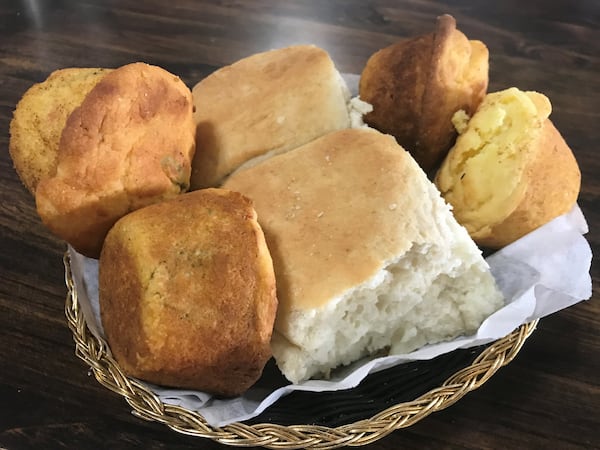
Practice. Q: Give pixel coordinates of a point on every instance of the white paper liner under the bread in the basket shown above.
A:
(544, 272)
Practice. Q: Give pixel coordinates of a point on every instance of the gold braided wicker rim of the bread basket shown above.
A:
(147, 405)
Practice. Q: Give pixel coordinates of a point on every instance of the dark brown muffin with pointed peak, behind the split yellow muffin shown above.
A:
(417, 84)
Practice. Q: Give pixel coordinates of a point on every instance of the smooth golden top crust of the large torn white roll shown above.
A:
(307, 225)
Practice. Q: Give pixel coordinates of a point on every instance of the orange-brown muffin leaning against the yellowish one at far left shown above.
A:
(129, 144)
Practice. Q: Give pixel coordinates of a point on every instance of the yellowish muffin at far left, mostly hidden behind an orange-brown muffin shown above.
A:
(40, 117)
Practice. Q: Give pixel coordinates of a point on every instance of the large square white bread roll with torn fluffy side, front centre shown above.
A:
(367, 255)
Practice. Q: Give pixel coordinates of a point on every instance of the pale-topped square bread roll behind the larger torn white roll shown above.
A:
(266, 103)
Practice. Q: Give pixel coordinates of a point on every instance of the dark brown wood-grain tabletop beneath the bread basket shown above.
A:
(549, 397)
